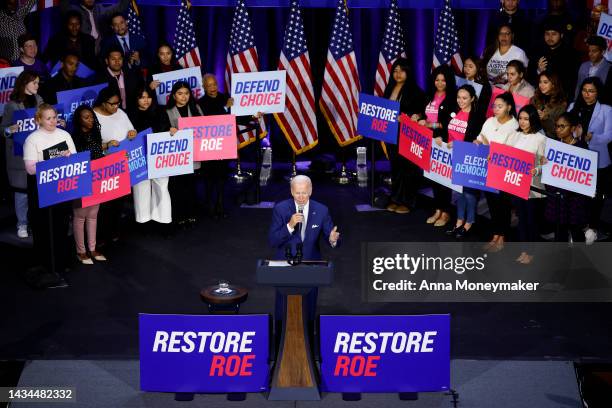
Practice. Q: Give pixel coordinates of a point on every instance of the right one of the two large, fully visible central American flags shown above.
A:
(341, 81)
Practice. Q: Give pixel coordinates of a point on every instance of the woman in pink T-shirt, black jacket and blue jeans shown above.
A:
(464, 126)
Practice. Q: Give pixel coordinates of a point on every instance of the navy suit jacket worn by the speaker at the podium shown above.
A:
(319, 223)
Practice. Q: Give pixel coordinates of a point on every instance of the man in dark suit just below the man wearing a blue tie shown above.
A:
(114, 73)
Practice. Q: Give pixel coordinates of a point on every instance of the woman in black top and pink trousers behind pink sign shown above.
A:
(86, 136)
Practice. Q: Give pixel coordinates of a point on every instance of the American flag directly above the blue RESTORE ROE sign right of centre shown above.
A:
(393, 46)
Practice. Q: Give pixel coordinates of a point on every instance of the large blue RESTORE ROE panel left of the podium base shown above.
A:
(183, 353)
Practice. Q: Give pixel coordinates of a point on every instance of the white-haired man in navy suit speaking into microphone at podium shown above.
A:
(298, 223)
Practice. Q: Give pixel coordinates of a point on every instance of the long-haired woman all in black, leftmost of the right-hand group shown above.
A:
(405, 176)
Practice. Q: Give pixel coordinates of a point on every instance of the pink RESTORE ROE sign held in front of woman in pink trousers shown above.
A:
(110, 177)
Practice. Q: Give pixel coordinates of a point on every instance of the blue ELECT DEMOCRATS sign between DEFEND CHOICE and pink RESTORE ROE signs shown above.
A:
(470, 162)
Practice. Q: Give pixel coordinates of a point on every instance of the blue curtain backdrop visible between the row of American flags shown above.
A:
(212, 19)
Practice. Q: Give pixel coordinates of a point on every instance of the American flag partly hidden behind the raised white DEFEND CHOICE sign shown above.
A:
(242, 57)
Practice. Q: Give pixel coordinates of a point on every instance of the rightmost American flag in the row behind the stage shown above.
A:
(446, 48)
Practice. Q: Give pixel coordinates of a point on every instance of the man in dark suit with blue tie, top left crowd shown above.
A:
(133, 46)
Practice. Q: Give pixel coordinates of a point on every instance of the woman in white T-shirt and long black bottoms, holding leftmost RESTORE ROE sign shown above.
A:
(48, 142)
